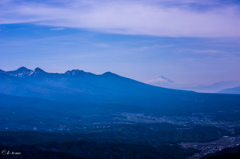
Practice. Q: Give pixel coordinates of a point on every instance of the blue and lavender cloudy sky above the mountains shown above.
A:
(191, 42)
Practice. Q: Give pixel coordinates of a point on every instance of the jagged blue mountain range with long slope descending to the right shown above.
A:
(77, 86)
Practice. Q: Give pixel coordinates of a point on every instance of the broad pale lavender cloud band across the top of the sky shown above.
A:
(187, 18)
